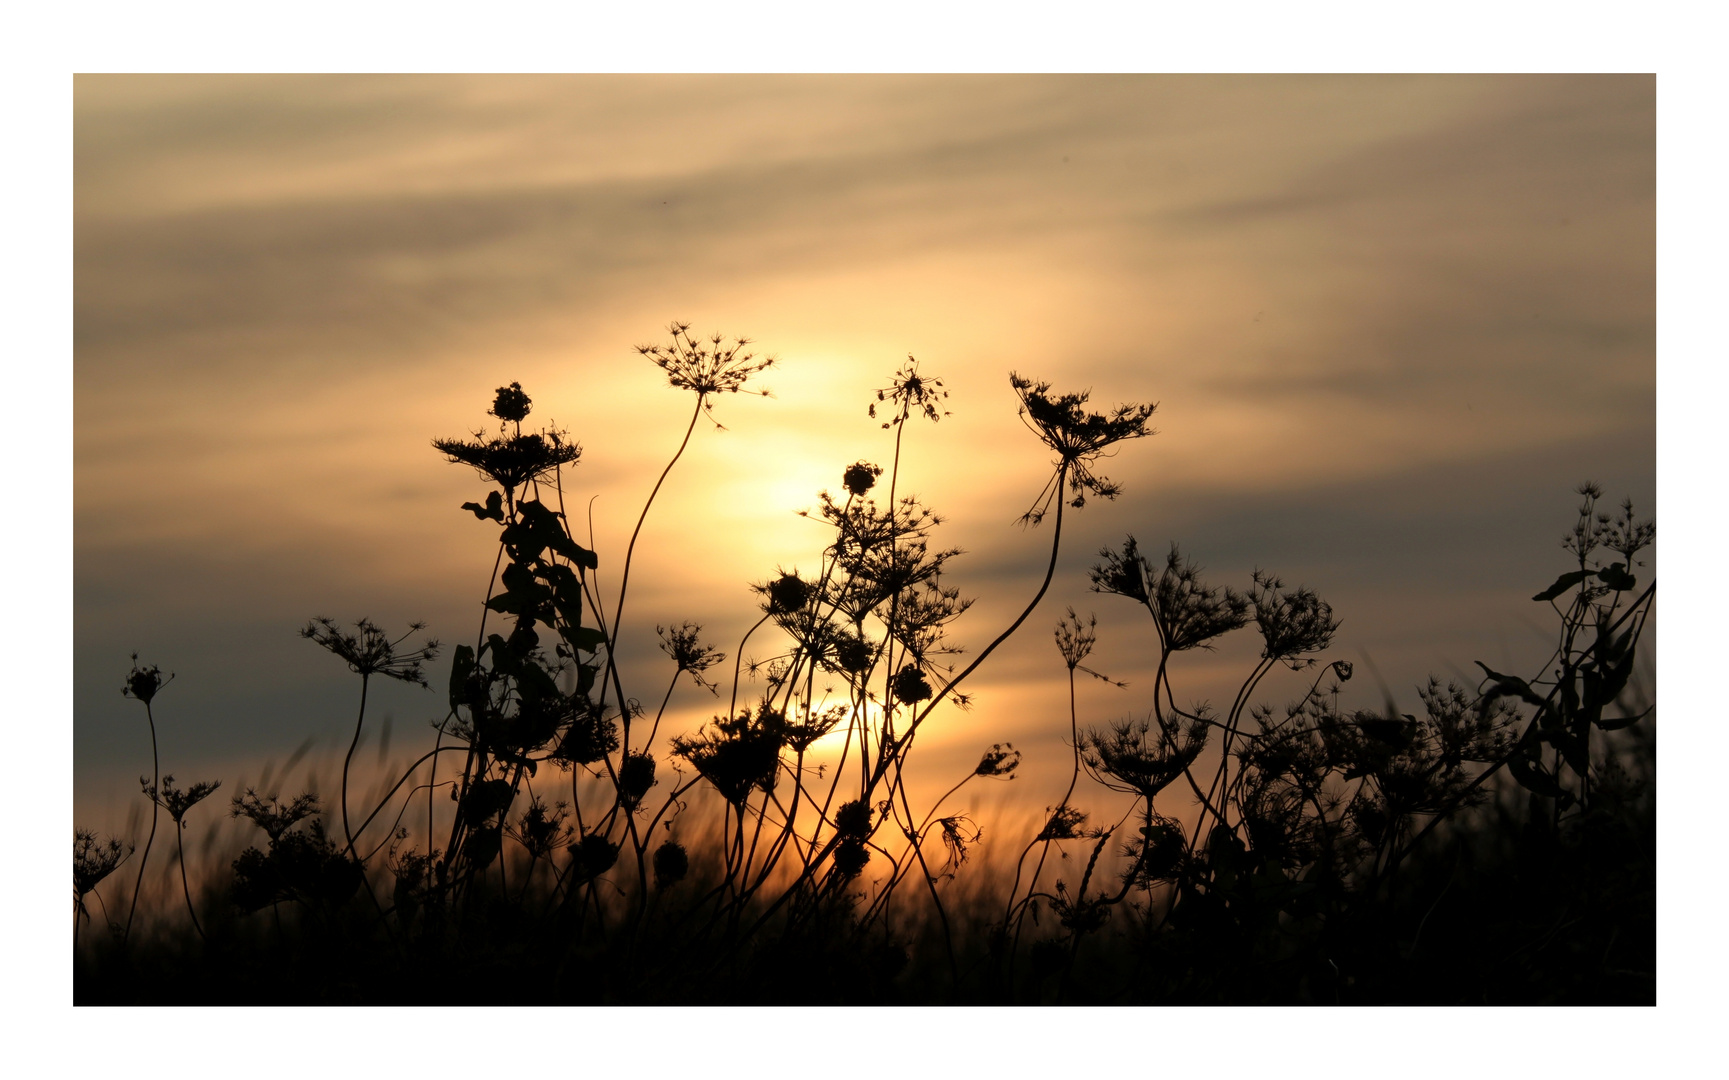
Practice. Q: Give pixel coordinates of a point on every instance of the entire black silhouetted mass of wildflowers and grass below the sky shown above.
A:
(556, 846)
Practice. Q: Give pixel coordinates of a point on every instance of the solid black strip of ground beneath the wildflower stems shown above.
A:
(1505, 912)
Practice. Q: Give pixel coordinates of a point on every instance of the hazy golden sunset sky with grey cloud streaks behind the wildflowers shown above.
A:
(1391, 322)
